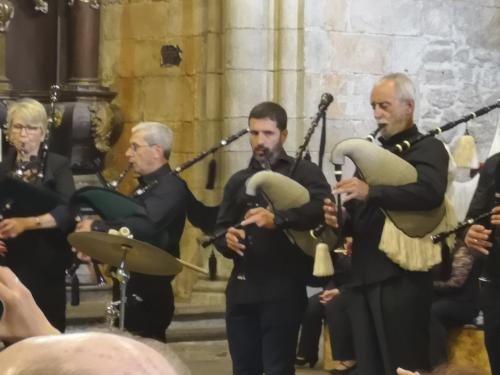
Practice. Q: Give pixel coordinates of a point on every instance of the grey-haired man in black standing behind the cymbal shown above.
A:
(164, 196)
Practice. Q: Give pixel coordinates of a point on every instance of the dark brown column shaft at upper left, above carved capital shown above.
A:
(85, 18)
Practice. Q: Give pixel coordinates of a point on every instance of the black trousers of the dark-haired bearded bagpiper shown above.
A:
(263, 336)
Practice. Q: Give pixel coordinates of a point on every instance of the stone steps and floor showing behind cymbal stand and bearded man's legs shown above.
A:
(197, 334)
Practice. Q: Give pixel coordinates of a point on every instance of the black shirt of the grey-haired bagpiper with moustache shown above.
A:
(430, 159)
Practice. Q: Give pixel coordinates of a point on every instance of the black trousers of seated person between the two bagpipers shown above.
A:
(335, 315)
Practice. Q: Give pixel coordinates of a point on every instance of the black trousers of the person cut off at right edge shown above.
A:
(490, 304)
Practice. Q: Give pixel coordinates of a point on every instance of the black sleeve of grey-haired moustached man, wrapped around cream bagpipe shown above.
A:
(431, 163)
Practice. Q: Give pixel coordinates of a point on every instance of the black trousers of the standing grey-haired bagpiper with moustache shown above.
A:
(390, 324)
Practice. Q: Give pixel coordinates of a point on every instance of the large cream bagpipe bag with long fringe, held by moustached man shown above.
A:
(406, 234)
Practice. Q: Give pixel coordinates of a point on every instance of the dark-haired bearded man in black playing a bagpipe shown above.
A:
(266, 296)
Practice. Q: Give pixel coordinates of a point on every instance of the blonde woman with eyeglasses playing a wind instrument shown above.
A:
(34, 236)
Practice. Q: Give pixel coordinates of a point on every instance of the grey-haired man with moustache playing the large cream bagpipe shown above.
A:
(389, 302)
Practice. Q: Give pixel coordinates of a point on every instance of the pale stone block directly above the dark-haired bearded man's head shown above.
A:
(243, 89)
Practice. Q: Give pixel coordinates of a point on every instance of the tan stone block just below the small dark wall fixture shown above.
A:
(168, 97)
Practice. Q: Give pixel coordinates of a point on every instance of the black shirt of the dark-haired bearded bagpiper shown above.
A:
(273, 267)
